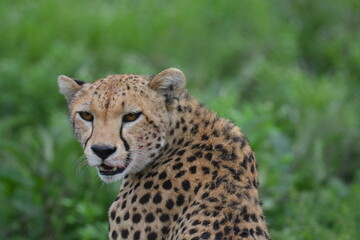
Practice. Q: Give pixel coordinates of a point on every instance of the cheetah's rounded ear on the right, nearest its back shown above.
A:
(170, 83)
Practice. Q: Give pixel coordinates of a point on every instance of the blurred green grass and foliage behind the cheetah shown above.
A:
(287, 72)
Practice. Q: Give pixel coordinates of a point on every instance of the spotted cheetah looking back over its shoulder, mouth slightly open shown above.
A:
(186, 173)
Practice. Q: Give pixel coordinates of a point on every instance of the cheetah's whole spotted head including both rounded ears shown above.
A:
(121, 120)
